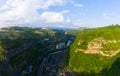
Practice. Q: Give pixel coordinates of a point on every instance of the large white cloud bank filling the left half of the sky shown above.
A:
(25, 11)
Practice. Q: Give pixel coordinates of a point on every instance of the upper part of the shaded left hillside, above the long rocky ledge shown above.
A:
(15, 37)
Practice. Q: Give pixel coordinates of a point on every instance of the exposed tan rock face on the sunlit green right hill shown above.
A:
(95, 46)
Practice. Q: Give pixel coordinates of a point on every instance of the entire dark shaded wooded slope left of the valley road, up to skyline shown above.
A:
(25, 47)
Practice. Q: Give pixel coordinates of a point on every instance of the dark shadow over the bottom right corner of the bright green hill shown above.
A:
(113, 71)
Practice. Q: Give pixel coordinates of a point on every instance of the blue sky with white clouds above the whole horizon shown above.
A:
(59, 13)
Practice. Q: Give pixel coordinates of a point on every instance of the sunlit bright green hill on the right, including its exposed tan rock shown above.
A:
(96, 52)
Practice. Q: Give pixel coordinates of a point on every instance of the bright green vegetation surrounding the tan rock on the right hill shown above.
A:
(92, 65)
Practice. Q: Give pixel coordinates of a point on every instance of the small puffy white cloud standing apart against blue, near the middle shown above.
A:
(52, 17)
